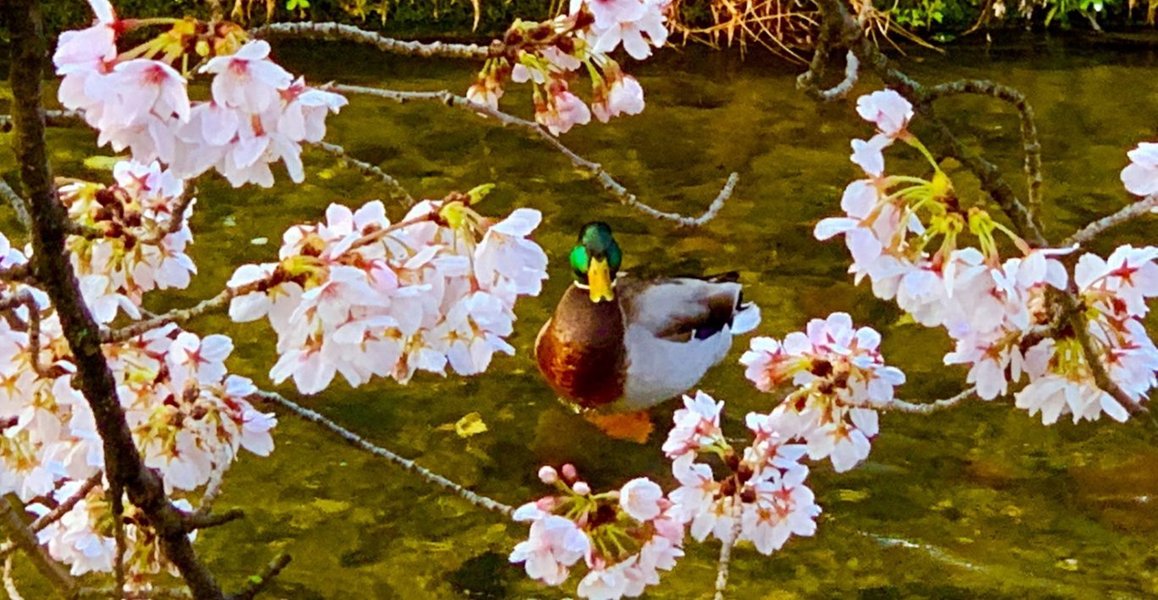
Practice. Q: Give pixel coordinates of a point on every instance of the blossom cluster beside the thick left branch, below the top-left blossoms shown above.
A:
(142, 244)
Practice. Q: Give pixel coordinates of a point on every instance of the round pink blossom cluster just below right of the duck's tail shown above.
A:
(841, 381)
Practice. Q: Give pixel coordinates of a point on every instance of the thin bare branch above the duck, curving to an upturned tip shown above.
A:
(605, 180)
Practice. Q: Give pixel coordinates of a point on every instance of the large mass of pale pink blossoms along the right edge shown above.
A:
(998, 310)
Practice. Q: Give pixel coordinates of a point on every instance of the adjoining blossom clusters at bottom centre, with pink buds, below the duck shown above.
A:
(626, 537)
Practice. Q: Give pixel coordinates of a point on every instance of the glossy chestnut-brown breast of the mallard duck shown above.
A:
(581, 350)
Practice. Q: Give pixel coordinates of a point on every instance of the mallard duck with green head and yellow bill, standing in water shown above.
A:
(618, 346)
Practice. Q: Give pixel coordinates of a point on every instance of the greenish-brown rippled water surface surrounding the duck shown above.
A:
(978, 502)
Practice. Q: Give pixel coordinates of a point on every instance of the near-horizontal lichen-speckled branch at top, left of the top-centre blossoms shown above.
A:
(339, 32)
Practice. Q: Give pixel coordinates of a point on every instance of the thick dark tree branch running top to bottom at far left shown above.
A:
(54, 270)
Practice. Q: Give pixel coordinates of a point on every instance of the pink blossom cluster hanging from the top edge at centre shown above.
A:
(549, 57)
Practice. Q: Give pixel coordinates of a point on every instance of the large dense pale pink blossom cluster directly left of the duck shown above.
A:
(361, 297)
